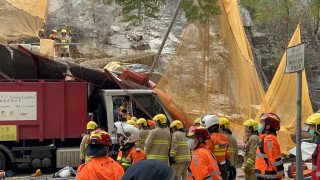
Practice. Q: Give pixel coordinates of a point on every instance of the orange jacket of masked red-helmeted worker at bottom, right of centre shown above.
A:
(203, 165)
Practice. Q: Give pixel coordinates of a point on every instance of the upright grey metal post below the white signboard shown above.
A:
(299, 171)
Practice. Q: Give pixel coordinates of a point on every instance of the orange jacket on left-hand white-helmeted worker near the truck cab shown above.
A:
(135, 154)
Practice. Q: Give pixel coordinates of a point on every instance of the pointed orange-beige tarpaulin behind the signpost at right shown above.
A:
(281, 98)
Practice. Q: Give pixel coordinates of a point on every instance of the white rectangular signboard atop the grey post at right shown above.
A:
(295, 58)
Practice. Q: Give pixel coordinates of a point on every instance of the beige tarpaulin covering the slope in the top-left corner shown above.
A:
(21, 19)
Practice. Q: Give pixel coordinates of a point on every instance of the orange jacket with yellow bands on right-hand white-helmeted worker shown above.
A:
(218, 144)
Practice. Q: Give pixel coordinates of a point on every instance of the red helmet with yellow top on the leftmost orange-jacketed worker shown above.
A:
(99, 136)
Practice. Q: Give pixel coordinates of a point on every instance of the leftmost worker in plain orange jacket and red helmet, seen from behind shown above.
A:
(101, 166)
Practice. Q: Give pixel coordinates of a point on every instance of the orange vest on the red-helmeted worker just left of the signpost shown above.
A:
(268, 164)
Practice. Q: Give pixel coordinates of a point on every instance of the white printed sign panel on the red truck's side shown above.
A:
(18, 106)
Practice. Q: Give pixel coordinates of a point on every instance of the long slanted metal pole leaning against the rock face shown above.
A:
(165, 39)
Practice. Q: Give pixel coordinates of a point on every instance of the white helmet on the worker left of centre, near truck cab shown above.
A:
(130, 133)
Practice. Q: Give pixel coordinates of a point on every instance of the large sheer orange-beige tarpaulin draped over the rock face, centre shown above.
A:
(213, 69)
